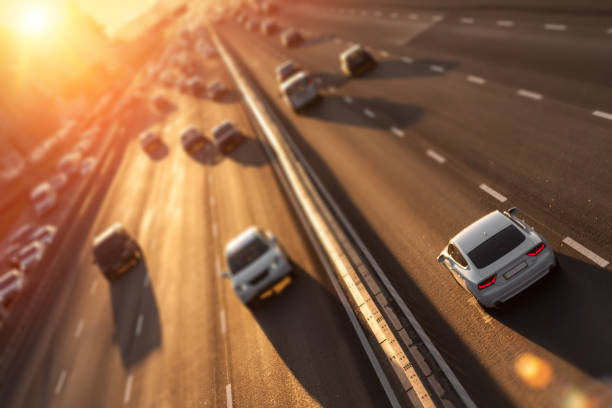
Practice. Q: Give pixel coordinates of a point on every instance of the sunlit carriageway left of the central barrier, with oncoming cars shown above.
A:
(172, 332)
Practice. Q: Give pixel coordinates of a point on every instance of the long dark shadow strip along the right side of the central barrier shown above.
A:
(453, 348)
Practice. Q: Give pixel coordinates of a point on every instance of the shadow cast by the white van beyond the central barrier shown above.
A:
(387, 113)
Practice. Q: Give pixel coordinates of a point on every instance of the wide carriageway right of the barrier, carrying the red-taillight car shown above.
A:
(418, 149)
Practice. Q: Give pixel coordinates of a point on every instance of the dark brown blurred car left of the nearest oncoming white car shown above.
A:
(115, 252)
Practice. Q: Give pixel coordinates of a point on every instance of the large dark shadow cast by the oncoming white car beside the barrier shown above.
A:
(294, 322)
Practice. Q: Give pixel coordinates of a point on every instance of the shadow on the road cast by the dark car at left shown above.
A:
(138, 330)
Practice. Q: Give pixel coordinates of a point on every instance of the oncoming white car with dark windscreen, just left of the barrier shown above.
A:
(257, 265)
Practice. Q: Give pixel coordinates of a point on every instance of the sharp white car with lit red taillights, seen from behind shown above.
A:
(497, 257)
